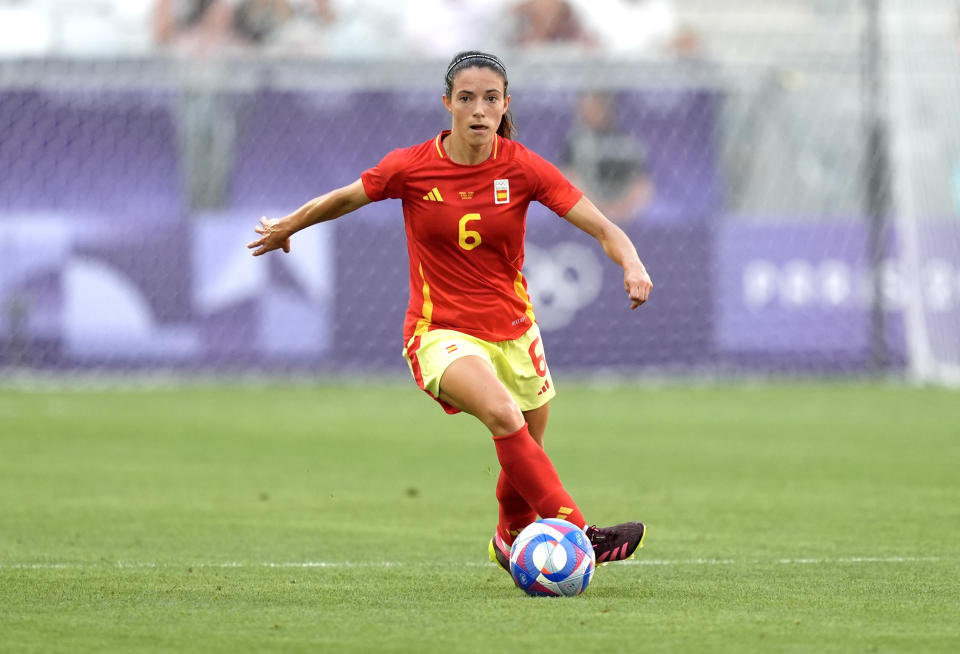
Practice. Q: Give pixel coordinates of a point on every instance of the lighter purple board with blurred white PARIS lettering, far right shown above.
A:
(801, 294)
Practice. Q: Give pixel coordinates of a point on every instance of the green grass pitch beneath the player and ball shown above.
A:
(782, 518)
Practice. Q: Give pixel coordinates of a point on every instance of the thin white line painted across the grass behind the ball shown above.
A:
(400, 564)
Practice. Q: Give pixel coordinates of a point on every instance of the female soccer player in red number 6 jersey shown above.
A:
(472, 342)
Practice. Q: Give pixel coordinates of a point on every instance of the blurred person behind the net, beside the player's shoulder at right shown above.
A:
(605, 161)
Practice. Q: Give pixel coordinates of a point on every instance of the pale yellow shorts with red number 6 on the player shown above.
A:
(520, 364)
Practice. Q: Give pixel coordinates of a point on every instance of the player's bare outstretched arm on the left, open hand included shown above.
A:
(275, 233)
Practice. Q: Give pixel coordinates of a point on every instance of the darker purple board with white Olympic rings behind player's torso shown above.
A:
(576, 290)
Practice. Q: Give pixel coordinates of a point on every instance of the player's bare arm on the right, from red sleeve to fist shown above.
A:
(618, 247)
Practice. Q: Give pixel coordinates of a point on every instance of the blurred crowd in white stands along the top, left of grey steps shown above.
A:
(340, 28)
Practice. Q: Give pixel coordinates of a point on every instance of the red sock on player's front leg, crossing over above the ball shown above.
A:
(530, 471)
